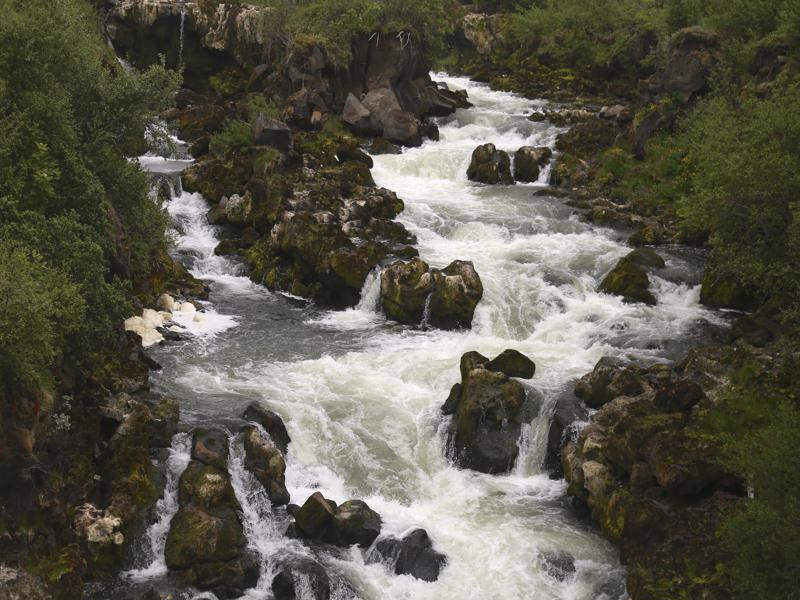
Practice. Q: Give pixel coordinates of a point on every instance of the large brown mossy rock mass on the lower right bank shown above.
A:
(646, 469)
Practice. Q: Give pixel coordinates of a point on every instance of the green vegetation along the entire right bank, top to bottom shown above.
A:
(722, 161)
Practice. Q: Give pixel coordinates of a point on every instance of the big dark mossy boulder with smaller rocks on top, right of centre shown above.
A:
(489, 409)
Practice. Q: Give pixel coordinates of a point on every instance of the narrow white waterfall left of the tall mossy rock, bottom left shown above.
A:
(166, 507)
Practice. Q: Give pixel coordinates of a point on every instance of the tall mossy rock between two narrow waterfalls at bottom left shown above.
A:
(206, 545)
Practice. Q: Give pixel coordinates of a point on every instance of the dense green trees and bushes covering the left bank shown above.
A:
(75, 215)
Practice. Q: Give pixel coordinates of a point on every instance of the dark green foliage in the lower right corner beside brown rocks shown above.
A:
(759, 418)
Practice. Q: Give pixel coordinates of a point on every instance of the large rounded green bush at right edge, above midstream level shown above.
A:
(745, 159)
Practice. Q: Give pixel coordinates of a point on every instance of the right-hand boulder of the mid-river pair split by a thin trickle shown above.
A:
(457, 289)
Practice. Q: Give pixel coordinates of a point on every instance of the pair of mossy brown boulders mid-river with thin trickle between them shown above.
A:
(414, 294)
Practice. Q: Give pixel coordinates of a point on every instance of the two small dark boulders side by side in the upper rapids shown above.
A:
(490, 165)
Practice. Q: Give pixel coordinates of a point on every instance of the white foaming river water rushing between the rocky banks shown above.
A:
(360, 396)
